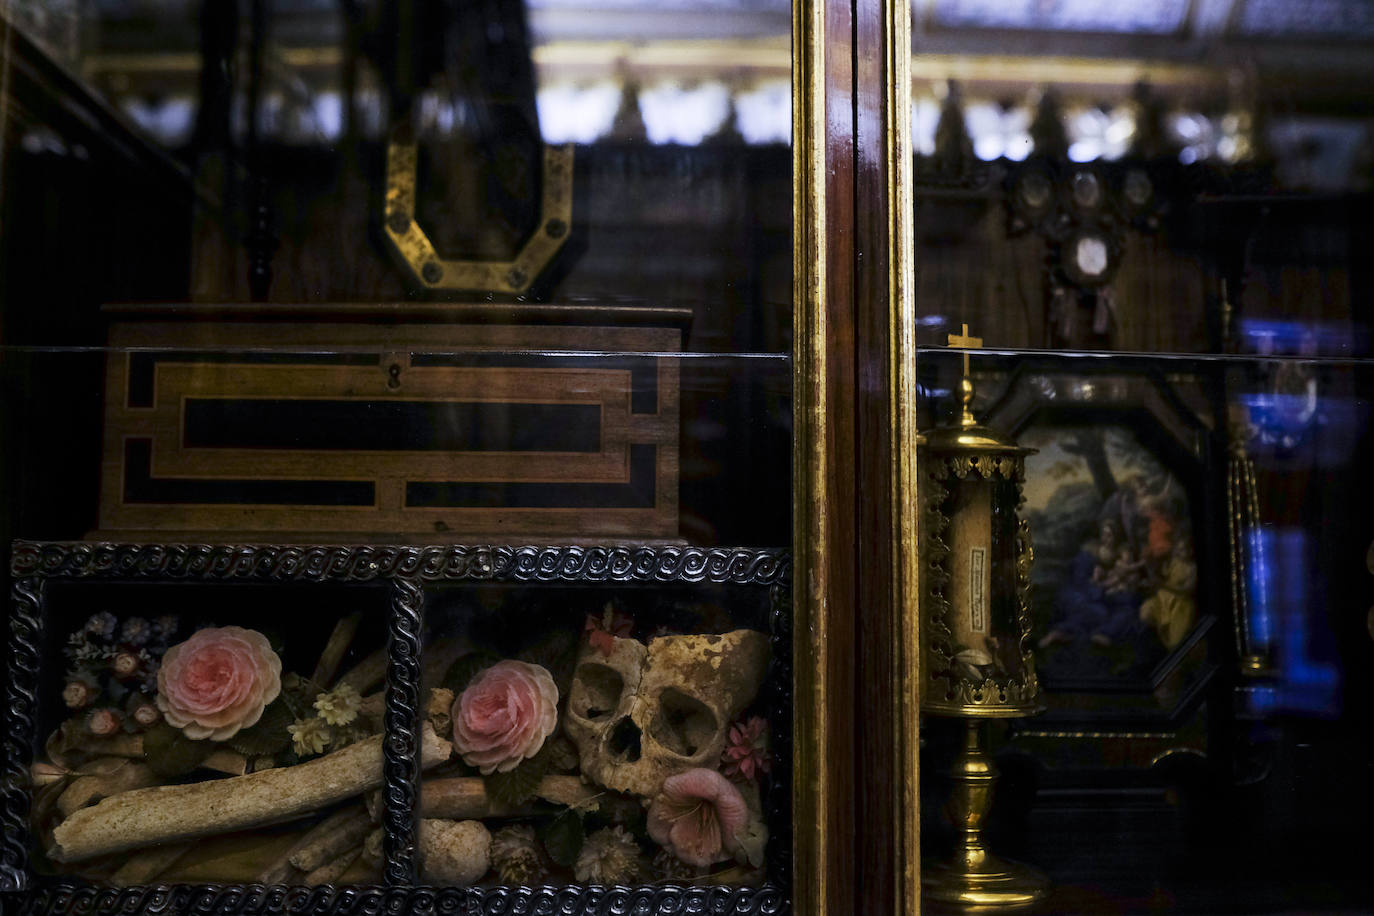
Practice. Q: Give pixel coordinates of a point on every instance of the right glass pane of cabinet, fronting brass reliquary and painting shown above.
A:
(1155, 260)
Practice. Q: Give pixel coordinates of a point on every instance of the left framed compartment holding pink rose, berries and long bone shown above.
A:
(128, 675)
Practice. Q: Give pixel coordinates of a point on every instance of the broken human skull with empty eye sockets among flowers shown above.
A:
(648, 712)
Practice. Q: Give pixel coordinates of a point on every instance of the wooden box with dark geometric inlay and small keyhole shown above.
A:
(420, 421)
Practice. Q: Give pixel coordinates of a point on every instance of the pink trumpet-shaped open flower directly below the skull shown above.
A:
(697, 816)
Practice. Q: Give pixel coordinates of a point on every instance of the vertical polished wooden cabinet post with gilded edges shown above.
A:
(855, 501)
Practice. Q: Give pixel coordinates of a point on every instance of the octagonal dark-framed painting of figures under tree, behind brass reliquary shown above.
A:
(1130, 588)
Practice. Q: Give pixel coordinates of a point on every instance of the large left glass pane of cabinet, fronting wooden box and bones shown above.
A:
(347, 343)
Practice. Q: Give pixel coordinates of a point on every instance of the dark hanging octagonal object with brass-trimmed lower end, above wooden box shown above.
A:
(509, 196)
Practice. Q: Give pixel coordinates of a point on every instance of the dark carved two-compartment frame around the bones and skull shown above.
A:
(409, 569)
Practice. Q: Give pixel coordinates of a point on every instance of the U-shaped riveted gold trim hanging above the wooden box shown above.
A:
(432, 273)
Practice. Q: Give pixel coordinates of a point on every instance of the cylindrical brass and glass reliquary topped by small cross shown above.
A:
(976, 634)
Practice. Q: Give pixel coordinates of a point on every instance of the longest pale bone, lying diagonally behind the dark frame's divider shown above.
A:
(171, 814)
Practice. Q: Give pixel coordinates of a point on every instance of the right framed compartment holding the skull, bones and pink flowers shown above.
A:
(645, 737)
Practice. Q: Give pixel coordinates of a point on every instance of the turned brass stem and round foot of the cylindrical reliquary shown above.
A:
(978, 881)
